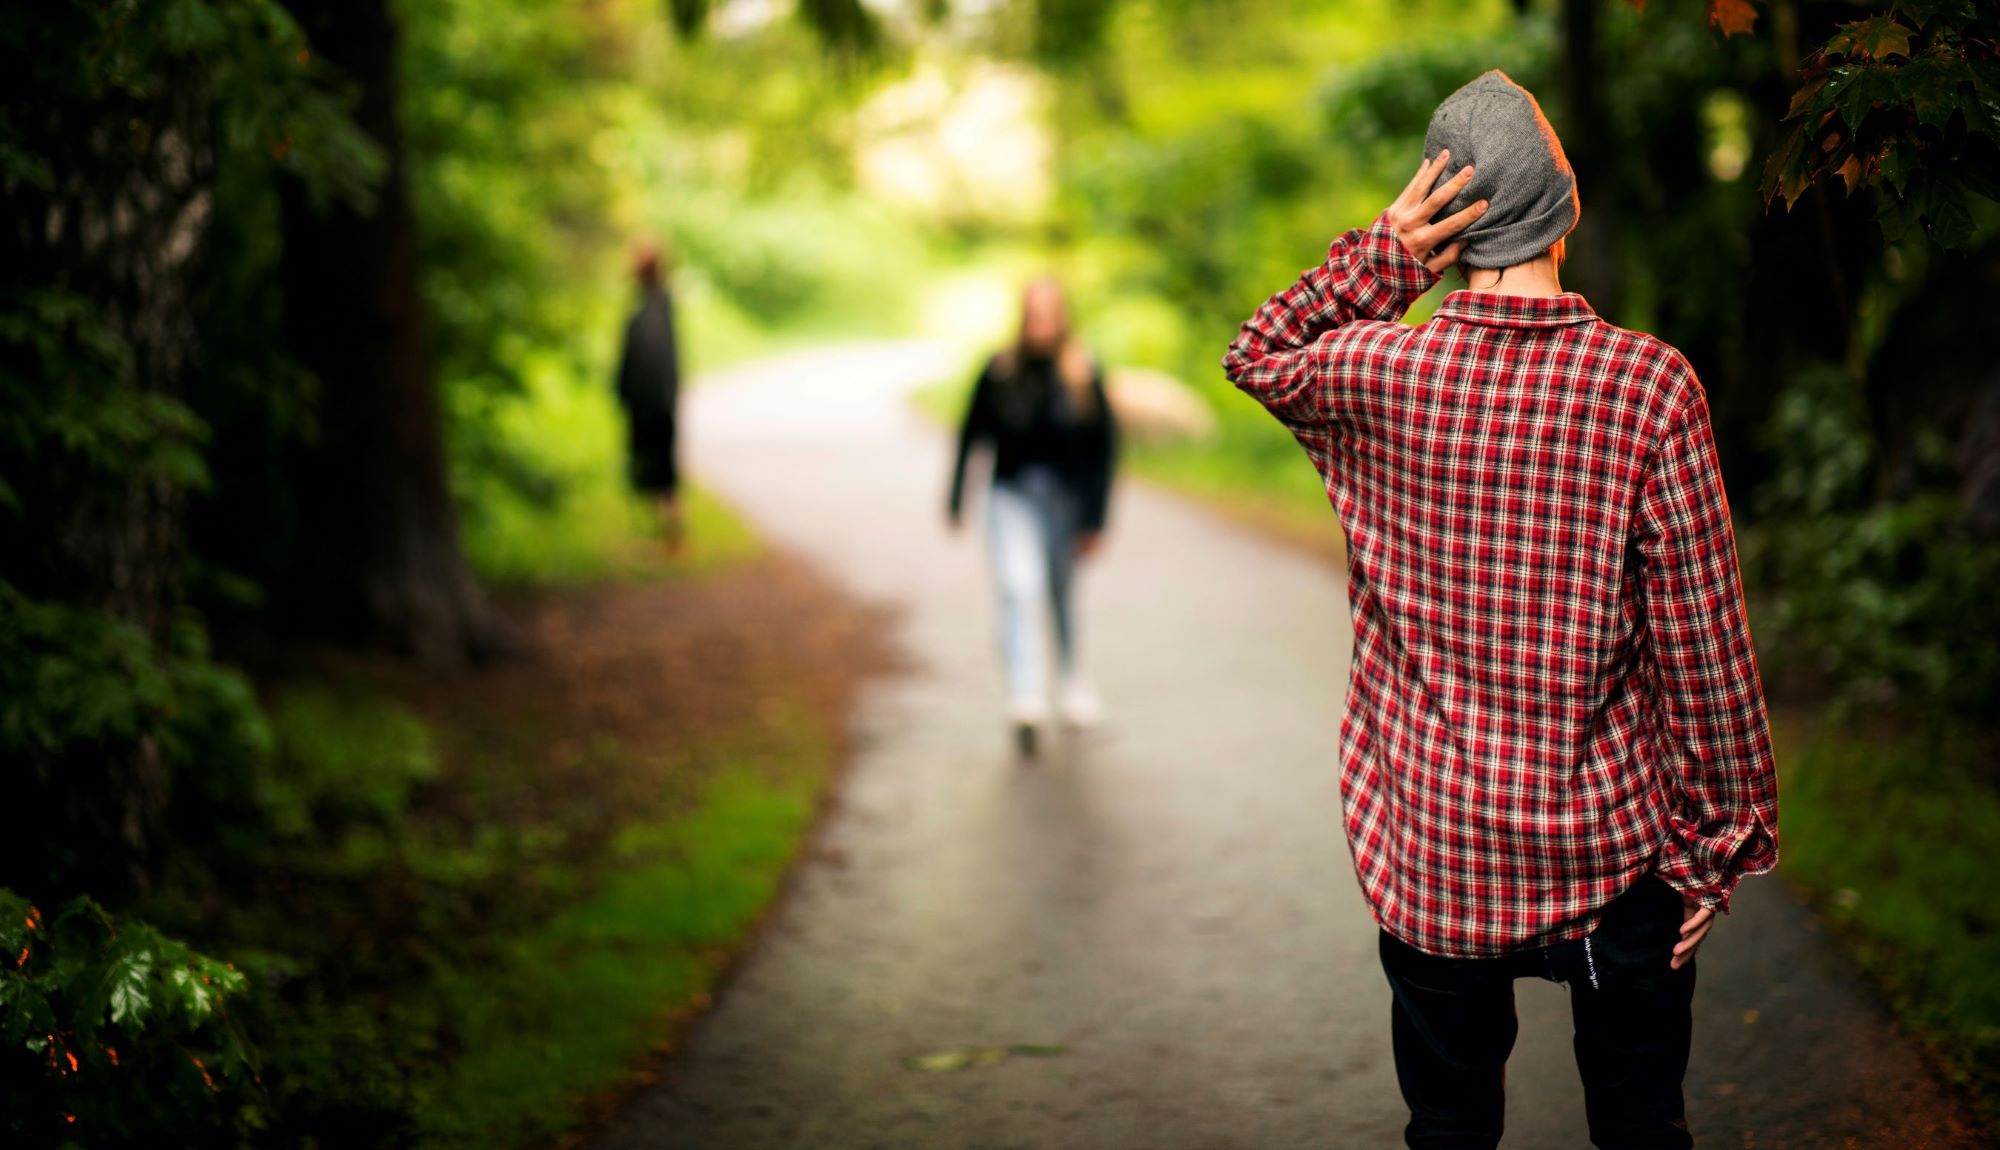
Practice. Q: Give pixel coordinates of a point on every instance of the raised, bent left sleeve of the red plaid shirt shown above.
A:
(1285, 355)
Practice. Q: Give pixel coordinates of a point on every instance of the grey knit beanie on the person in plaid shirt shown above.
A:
(1521, 171)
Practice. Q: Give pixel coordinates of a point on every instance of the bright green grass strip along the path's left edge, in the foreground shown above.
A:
(573, 1003)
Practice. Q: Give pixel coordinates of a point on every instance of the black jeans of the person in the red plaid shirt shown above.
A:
(1455, 1027)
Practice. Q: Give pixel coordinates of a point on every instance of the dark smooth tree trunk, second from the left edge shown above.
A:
(381, 559)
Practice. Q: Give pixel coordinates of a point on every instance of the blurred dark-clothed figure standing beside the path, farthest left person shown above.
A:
(649, 389)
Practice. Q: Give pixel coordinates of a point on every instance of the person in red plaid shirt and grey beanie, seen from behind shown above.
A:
(1555, 755)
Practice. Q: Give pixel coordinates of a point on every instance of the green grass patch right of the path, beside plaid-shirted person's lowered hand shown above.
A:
(1895, 837)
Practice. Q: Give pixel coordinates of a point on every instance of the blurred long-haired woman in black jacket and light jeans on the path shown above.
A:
(1043, 411)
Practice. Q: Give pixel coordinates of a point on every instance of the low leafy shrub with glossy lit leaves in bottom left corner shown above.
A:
(113, 1035)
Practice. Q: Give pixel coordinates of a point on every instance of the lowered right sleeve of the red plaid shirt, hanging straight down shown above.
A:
(1725, 817)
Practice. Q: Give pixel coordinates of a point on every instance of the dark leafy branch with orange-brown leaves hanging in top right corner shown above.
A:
(1905, 103)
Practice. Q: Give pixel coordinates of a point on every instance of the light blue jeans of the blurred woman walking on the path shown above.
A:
(1031, 527)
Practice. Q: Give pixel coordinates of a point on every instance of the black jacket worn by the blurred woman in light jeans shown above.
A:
(1027, 417)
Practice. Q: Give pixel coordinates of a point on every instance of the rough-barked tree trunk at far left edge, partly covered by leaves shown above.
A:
(117, 231)
